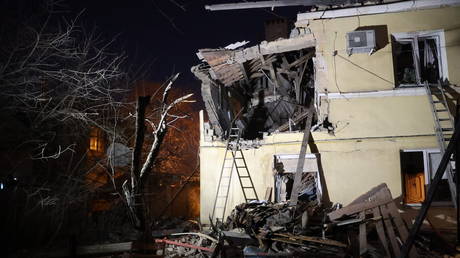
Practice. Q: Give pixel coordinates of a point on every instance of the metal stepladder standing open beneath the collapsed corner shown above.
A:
(233, 159)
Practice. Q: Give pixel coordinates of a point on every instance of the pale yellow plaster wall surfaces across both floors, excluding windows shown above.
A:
(369, 133)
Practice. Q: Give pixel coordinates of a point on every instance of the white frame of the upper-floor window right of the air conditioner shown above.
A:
(412, 37)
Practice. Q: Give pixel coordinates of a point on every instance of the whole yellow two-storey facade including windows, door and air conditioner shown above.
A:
(374, 123)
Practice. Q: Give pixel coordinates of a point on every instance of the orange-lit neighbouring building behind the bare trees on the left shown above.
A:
(174, 168)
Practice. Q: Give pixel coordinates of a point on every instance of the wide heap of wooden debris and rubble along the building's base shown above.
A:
(371, 226)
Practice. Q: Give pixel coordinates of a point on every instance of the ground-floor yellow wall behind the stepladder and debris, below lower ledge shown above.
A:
(351, 166)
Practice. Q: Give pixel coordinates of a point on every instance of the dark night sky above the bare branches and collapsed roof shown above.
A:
(167, 36)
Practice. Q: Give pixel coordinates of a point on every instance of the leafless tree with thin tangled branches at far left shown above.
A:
(56, 84)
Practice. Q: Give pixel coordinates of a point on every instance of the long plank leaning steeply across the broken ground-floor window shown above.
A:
(301, 161)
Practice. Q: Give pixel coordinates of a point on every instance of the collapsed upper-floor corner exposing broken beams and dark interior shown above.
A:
(264, 88)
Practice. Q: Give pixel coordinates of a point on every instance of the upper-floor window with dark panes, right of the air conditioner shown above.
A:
(419, 57)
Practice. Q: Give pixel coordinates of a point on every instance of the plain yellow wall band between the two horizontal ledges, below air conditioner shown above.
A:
(381, 116)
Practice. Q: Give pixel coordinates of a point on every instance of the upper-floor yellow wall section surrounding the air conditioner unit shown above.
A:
(361, 72)
